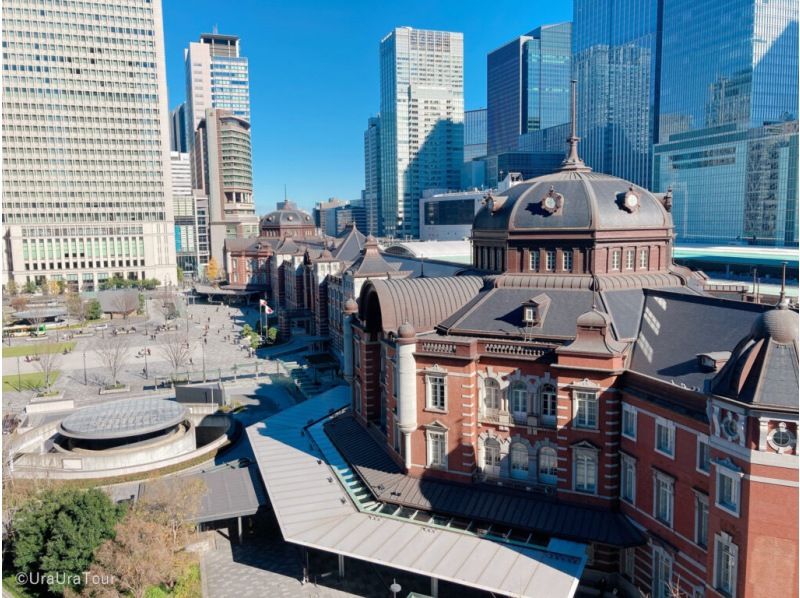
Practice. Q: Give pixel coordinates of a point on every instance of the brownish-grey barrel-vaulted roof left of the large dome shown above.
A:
(423, 302)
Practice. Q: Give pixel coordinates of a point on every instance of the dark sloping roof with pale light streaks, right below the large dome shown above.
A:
(668, 341)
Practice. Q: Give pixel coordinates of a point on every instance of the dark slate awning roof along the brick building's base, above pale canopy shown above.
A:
(491, 505)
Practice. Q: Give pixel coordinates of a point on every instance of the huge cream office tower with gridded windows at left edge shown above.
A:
(86, 192)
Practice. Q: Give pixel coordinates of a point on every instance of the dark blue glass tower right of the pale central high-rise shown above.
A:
(527, 85)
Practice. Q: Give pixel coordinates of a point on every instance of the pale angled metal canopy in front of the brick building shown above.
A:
(303, 474)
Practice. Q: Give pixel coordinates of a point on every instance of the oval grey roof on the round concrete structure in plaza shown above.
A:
(122, 419)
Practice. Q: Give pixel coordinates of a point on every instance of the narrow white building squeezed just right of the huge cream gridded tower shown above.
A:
(184, 200)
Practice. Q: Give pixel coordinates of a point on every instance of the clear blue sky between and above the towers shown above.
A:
(314, 74)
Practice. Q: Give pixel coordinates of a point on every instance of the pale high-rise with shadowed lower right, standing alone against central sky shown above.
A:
(422, 121)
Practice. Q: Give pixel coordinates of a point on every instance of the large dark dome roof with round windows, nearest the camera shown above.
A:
(573, 199)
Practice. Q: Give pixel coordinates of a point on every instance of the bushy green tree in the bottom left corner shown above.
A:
(58, 532)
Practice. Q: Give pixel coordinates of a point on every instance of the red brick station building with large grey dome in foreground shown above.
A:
(581, 373)
